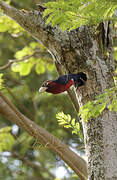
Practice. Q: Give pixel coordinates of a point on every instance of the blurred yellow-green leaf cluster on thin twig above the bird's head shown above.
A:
(30, 56)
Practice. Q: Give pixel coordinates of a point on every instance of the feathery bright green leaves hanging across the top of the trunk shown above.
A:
(70, 14)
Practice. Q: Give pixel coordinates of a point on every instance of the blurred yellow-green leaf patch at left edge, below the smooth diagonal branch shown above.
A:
(6, 139)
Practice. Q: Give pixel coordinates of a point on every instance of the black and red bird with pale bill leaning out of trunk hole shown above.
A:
(63, 83)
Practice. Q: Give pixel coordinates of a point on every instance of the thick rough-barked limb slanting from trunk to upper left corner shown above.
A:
(34, 23)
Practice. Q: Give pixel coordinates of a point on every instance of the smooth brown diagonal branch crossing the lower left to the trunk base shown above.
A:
(75, 162)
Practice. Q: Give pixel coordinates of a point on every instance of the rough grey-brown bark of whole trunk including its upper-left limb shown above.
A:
(83, 50)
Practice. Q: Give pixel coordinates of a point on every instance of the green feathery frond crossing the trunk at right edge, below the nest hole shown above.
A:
(94, 108)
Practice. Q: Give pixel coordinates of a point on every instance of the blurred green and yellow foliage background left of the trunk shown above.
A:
(21, 158)
